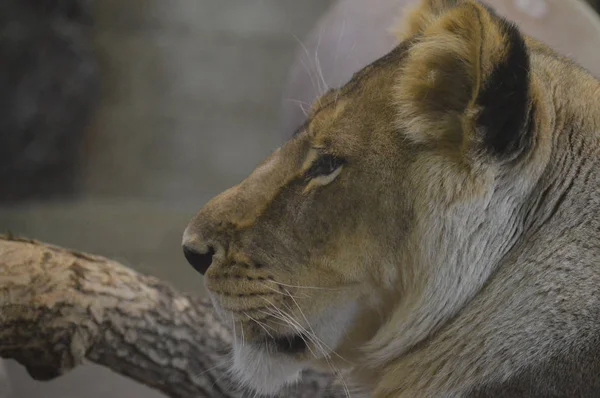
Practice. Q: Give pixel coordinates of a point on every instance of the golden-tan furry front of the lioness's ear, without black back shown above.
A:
(445, 71)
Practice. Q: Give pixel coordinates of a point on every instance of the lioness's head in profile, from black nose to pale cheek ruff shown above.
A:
(391, 207)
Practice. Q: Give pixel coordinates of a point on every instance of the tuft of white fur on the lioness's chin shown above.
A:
(264, 373)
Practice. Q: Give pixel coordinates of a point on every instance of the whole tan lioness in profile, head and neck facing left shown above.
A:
(434, 227)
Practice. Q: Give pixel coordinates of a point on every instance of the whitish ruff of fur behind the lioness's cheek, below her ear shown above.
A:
(457, 253)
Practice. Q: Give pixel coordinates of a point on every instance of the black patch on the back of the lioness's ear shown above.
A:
(504, 120)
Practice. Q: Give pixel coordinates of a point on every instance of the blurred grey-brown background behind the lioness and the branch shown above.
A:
(119, 119)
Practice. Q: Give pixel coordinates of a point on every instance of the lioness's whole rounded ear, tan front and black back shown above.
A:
(465, 79)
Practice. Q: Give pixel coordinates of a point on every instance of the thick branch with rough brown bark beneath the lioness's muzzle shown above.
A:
(59, 307)
